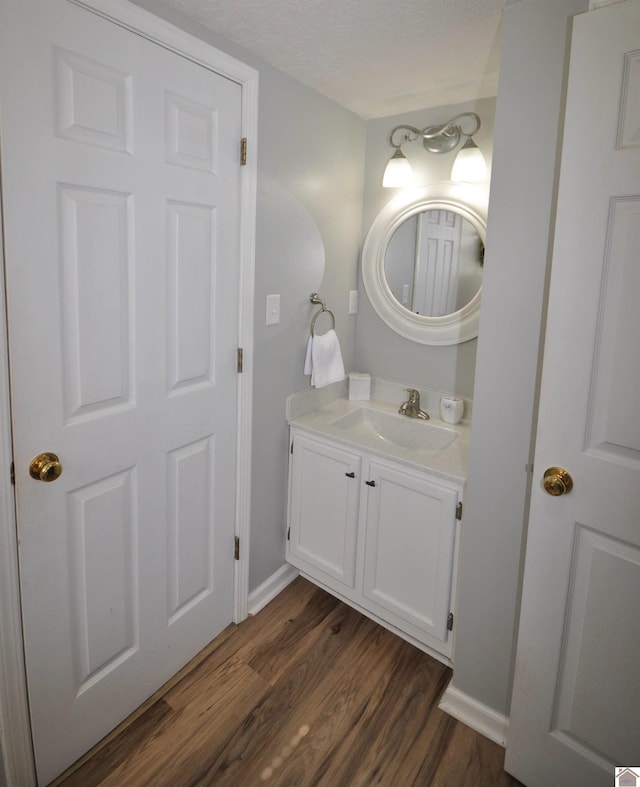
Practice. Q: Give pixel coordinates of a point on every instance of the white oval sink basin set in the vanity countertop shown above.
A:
(411, 433)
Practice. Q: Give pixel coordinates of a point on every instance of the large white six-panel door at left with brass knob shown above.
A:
(121, 207)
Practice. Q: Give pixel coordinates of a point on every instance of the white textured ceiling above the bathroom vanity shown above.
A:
(375, 57)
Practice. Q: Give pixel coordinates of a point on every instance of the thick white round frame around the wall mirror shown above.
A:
(469, 202)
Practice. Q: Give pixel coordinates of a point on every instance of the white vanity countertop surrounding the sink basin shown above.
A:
(449, 463)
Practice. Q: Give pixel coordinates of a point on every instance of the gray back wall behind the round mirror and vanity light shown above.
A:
(379, 350)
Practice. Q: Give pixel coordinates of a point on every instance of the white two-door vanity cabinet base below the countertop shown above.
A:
(380, 534)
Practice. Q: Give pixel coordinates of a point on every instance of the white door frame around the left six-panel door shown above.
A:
(16, 751)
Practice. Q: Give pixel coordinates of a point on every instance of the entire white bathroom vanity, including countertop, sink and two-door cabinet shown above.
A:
(375, 502)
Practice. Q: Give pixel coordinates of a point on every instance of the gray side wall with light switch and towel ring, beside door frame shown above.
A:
(310, 172)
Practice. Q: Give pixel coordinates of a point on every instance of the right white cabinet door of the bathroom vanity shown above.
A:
(410, 538)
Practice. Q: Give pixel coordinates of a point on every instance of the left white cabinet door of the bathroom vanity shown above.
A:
(323, 510)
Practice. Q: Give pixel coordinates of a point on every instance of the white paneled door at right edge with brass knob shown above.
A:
(576, 700)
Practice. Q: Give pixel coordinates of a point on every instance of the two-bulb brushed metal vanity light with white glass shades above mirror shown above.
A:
(468, 166)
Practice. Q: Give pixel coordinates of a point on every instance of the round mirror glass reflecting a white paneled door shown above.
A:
(433, 263)
